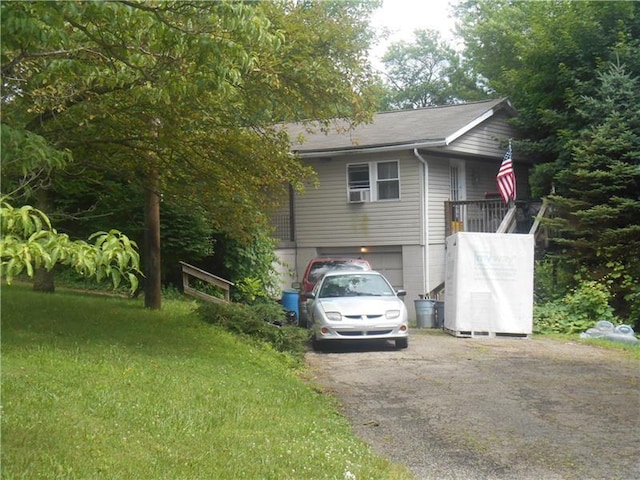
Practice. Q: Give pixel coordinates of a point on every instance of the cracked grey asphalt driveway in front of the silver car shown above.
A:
(491, 408)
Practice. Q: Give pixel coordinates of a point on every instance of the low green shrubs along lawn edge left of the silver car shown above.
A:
(258, 322)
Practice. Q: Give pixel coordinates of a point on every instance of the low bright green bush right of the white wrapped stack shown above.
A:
(577, 311)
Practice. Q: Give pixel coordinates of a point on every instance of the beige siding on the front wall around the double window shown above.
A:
(325, 218)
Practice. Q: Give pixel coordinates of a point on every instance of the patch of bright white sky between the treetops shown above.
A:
(402, 17)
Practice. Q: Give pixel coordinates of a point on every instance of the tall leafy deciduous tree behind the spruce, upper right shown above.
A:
(542, 55)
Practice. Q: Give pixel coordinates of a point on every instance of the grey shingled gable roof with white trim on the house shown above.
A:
(423, 127)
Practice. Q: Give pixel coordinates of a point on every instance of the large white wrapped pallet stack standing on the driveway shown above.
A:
(489, 284)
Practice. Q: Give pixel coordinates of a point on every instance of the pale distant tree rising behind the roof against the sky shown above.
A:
(426, 73)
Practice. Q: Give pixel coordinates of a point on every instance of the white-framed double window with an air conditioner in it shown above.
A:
(375, 180)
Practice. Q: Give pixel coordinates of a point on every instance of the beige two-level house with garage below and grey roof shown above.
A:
(390, 191)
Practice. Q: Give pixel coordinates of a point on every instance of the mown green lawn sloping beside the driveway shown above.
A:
(96, 387)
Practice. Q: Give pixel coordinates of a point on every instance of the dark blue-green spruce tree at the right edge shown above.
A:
(596, 198)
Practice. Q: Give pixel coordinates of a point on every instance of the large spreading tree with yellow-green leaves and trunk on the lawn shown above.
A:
(180, 98)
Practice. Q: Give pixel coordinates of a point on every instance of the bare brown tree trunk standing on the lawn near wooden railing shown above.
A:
(152, 281)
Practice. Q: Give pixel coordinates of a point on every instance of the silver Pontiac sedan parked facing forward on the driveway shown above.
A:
(357, 306)
